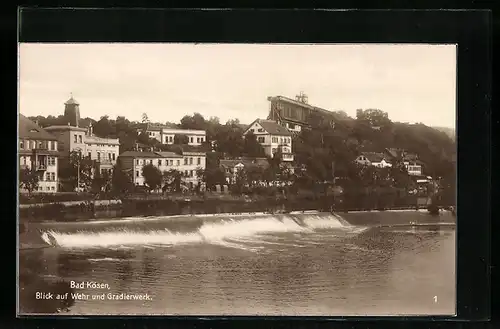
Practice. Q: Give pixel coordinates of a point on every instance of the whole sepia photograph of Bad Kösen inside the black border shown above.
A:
(205, 179)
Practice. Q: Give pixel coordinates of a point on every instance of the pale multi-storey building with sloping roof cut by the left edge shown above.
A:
(38, 152)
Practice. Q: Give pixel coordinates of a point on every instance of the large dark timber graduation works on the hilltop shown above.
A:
(296, 114)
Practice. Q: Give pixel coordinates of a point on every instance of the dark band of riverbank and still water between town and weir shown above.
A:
(83, 206)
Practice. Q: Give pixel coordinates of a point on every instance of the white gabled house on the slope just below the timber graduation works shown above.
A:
(274, 138)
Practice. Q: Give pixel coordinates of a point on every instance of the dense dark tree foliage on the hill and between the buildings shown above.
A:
(324, 153)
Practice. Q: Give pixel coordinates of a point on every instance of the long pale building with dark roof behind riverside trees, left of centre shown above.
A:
(186, 163)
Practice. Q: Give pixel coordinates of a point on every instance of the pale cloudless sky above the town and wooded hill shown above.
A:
(413, 83)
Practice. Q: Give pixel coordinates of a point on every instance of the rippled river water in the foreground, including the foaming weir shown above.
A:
(253, 264)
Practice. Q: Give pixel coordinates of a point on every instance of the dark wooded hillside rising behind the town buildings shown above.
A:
(323, 150)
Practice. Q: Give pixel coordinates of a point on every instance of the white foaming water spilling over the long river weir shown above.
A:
(219, 229)
